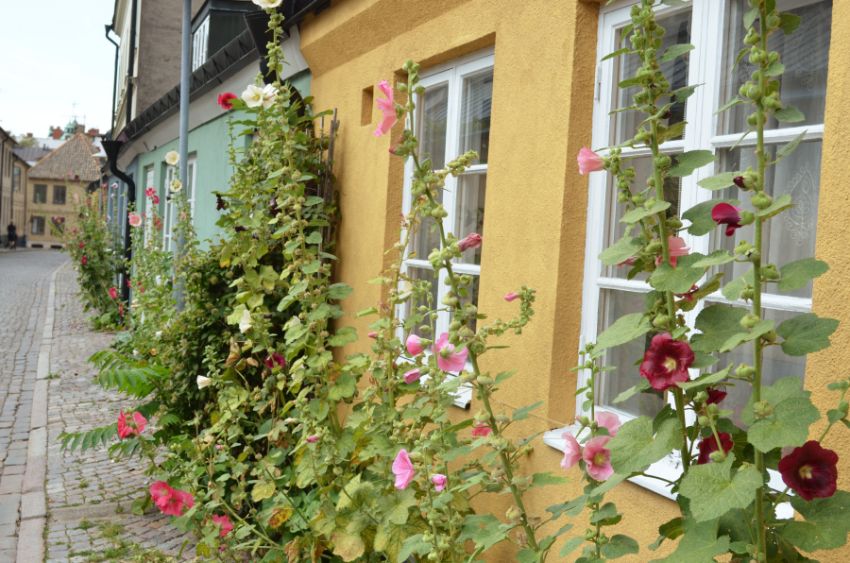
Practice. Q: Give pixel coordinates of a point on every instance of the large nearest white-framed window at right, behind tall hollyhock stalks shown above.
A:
(608, 293)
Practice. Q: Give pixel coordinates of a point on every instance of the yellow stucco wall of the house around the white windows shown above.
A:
(545, 57)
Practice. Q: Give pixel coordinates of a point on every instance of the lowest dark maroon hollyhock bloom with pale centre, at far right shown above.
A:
(810, 470)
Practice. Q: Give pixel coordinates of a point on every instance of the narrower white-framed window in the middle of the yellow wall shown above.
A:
(453, 116)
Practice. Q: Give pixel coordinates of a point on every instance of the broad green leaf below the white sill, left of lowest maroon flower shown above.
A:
(713, 490)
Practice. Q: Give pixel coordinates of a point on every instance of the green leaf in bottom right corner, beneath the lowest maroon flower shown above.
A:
(826, 525)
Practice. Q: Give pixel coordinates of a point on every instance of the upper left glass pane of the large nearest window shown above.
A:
(677, 29)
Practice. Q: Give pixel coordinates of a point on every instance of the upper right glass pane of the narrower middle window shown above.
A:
(475, 114)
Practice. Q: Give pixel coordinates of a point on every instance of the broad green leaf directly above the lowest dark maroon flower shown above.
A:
(788, 425)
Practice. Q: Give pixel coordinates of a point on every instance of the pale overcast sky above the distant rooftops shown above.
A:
(53, 54)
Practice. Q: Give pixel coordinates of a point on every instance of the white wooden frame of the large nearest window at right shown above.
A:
(705, 68)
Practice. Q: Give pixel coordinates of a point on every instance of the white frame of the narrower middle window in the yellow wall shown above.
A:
(452, 74)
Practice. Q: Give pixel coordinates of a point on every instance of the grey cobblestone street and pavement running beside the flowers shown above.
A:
(56, 505)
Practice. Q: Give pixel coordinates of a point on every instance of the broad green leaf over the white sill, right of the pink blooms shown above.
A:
(636, 447)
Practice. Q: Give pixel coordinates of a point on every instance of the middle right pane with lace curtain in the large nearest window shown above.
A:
(791, 235)
